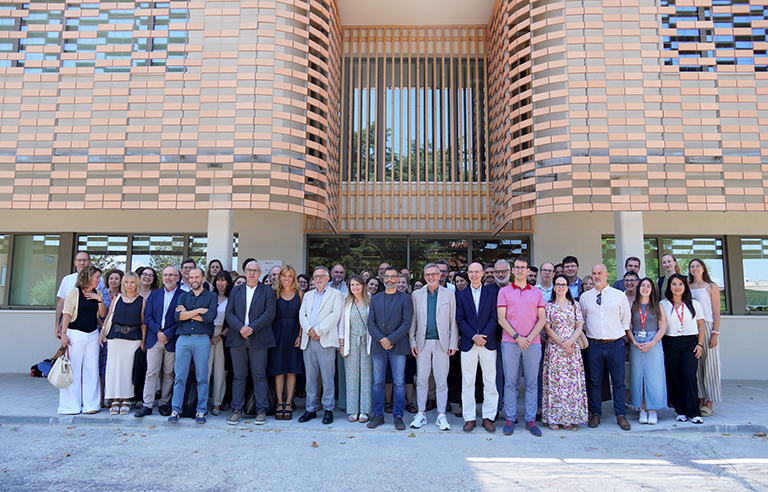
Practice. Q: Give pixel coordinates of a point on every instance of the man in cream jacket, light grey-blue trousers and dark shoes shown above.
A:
(319, 319)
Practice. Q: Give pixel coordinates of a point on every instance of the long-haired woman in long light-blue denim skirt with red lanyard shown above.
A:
(648, 385)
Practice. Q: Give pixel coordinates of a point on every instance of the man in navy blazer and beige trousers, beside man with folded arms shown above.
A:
(161, 342)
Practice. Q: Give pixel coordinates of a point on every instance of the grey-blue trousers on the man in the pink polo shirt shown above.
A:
(531, 357)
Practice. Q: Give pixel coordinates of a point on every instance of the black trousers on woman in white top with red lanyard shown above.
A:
(681, 363)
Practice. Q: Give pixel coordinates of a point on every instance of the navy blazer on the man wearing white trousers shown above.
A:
(472, 323)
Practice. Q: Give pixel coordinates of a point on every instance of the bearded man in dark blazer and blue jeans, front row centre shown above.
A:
(389, 320)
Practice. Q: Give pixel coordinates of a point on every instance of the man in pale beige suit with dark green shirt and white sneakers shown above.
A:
(434, 337)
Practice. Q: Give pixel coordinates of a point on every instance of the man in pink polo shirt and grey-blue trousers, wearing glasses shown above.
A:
(522, 316)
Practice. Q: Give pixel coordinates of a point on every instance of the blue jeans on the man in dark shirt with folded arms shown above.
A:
(188, 348)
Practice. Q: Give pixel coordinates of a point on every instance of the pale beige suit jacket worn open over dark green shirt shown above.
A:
(445, 316)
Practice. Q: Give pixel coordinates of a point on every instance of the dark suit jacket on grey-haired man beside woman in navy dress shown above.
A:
(261, 313)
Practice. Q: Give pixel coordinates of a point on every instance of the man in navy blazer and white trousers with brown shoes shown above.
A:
(477, 320)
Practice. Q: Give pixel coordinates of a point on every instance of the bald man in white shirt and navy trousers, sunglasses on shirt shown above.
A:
(606, 319)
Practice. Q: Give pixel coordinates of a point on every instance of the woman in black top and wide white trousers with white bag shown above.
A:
(80, 333)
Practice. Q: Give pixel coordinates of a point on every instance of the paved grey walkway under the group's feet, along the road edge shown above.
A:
(34, 401)
